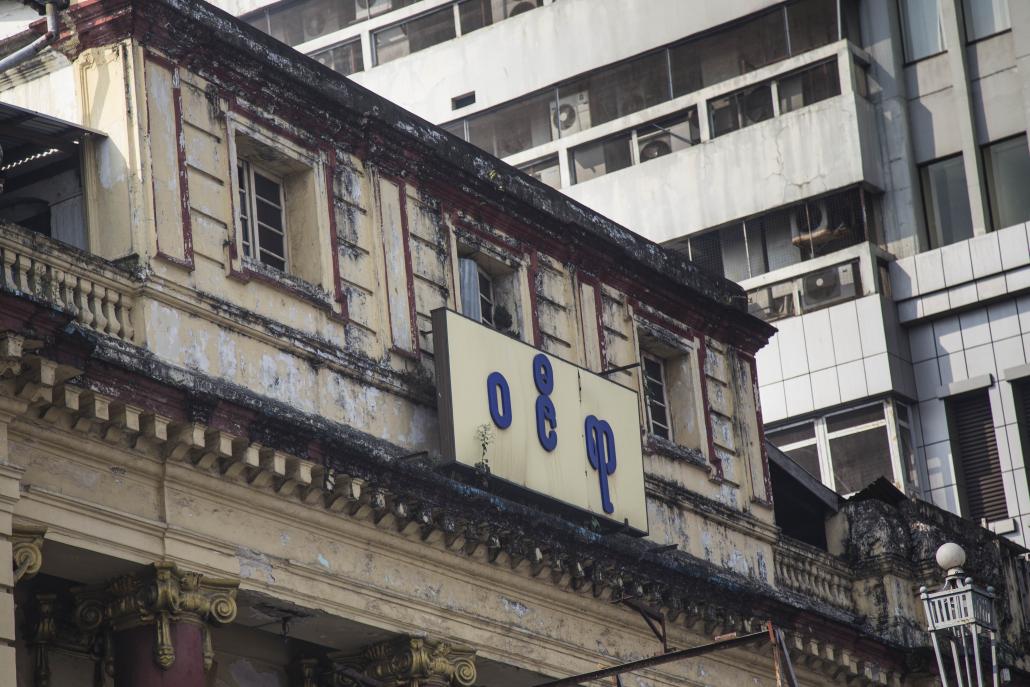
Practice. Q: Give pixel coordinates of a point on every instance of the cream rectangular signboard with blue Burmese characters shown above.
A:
(537, 422)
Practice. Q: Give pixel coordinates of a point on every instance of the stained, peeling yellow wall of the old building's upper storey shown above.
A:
(348, 336)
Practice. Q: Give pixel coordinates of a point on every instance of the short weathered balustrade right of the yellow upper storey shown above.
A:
(808, 571)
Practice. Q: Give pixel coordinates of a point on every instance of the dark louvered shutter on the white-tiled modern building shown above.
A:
(977, 454)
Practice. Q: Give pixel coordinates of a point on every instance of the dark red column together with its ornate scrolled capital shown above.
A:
(159, 623)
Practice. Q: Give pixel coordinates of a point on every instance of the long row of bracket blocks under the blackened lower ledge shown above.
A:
(678, 586)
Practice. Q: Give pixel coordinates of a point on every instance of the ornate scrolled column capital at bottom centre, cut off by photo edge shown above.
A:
(416, 662)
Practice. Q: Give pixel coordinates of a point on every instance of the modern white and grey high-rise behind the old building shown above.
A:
(860, 166)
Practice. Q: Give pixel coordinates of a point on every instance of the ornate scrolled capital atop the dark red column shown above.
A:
(159, 596)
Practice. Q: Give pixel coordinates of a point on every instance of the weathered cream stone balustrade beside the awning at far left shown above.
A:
(93, 292)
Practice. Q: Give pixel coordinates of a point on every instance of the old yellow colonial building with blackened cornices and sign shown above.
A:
(291, 383)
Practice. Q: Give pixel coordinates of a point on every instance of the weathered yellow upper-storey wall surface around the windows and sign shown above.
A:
(371, 370)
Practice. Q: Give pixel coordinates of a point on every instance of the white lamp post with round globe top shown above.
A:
(963, 616)
